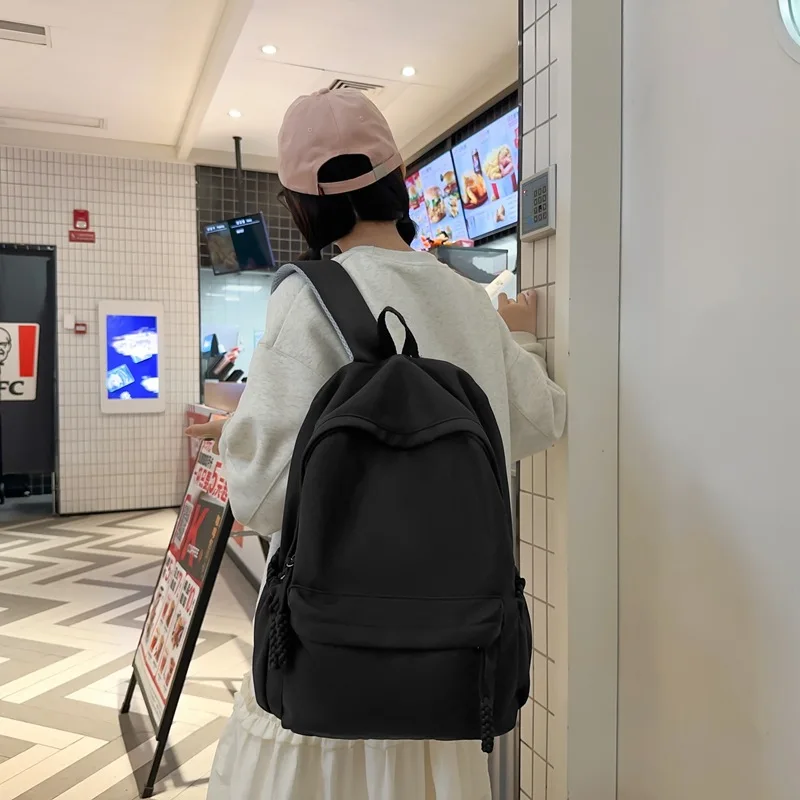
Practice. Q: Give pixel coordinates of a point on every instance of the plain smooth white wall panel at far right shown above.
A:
(710, 429)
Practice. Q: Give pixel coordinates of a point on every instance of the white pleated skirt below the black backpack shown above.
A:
(258, 760)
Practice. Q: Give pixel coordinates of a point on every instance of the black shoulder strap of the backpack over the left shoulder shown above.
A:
(342, 303)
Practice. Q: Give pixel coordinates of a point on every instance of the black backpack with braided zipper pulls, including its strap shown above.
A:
(393, 608)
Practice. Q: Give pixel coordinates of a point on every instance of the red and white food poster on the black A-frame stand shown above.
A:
(202, 526)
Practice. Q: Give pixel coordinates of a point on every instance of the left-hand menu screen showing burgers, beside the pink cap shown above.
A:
(435, 203)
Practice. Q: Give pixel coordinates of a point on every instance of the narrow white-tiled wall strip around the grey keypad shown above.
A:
(540, 555)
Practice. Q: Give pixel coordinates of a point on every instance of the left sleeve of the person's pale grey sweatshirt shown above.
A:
(297, 355)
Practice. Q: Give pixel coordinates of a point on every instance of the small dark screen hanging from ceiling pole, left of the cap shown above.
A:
(239, 244)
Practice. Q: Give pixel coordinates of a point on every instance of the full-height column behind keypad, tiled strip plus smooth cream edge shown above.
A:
(571, 95)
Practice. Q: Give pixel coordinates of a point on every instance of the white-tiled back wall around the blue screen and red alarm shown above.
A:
(143, 213)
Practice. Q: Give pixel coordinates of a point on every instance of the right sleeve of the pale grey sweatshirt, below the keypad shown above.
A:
(538, 406)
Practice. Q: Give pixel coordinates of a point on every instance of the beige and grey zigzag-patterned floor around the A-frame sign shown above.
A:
(73, 594)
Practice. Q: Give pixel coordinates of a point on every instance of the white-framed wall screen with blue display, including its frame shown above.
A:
(131, 336)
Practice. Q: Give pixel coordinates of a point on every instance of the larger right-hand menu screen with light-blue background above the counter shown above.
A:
(487, 165)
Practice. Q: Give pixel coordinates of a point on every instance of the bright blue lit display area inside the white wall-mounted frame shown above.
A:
(131, 357)
